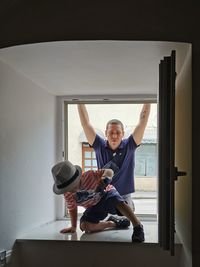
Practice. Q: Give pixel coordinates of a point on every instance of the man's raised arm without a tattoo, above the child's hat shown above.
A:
(85, 122)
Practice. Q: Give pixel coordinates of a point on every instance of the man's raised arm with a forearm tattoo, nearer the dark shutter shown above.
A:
(140, 128)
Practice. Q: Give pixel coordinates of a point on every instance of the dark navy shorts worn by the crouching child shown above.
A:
(106, 205)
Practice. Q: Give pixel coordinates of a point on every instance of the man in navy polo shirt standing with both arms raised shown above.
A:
(116, 150)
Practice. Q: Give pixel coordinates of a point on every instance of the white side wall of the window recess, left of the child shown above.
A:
(27, 153)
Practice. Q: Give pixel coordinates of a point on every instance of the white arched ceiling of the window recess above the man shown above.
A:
(93, 67)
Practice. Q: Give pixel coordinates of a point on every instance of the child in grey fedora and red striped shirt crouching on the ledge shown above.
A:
(93, 191)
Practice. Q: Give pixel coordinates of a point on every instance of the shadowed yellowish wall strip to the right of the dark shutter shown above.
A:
(183, 157)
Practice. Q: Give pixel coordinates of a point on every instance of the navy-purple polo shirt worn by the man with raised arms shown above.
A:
(123, 180)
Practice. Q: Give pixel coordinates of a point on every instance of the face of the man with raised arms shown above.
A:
(114, 134)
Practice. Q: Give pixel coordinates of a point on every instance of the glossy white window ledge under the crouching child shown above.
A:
(51, 231)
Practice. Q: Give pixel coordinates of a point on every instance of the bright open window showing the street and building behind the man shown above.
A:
(80, 153)
